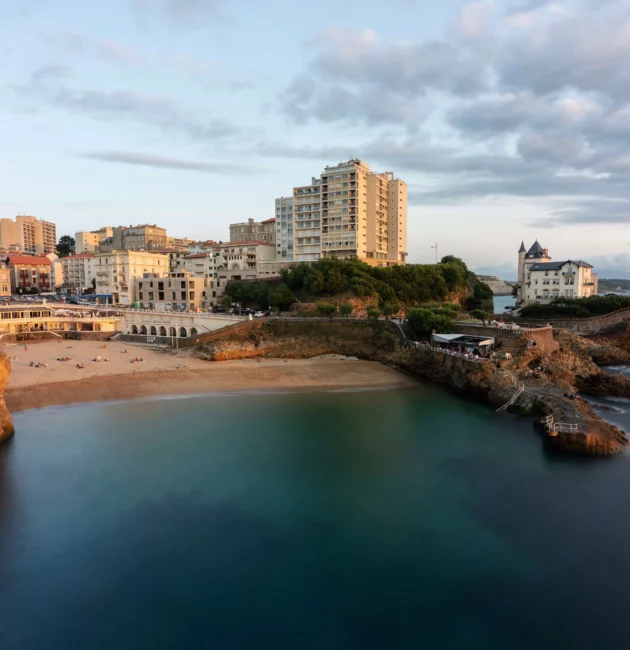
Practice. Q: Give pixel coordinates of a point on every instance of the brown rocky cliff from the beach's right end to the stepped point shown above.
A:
(566, 367)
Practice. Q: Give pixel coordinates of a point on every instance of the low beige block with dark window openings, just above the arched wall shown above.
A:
(177, 291)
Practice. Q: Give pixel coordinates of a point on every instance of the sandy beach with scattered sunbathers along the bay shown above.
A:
(61, 382)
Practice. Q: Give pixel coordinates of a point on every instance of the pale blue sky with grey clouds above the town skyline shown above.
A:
(508, 119)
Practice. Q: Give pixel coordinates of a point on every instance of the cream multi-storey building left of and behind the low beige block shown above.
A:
(115, 272)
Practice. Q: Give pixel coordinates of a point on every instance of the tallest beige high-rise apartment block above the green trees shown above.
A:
(349, 211)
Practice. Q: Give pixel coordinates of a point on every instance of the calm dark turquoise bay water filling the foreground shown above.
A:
(370, 520)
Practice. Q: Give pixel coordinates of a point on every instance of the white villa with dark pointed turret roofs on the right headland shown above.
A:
(541, 280)
